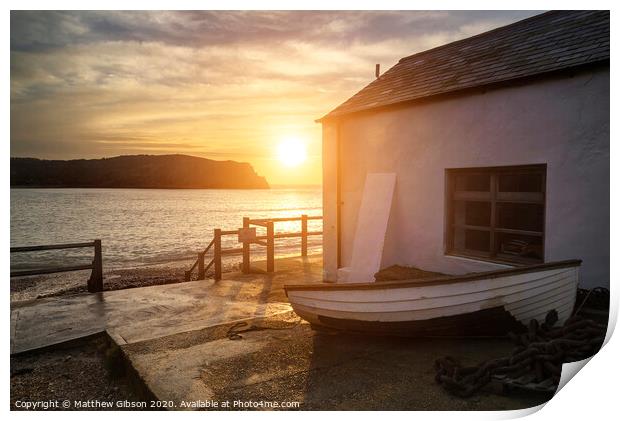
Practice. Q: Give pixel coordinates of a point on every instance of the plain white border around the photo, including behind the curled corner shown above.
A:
(592, 394)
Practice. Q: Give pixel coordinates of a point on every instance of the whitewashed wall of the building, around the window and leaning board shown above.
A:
(563, 122)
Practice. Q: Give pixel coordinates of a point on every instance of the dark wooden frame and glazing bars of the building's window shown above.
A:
(493, 196)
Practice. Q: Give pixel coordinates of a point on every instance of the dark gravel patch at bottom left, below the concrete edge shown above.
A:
(85, 372)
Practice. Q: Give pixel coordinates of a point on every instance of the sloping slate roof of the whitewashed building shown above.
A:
(544, 43)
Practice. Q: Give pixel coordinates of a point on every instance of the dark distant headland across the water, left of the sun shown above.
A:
(136, 171)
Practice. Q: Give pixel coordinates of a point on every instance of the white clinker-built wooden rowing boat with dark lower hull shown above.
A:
(486, 303)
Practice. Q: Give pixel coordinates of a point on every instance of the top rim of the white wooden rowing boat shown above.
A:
(438, 280)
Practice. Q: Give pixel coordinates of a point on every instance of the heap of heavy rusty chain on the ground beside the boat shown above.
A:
(540, 352)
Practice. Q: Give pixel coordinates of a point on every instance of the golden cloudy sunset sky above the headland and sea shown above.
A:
(221, 85)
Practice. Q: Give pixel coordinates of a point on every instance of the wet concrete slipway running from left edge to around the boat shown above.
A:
(177, 340)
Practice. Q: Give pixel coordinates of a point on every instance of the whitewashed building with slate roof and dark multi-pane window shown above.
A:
(500, 145)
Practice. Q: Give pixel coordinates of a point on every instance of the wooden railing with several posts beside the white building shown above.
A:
(247, 236)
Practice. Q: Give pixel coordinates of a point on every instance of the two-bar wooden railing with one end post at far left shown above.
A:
(95, 282)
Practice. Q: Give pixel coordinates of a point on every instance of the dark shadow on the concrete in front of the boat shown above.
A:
(354, 372)
